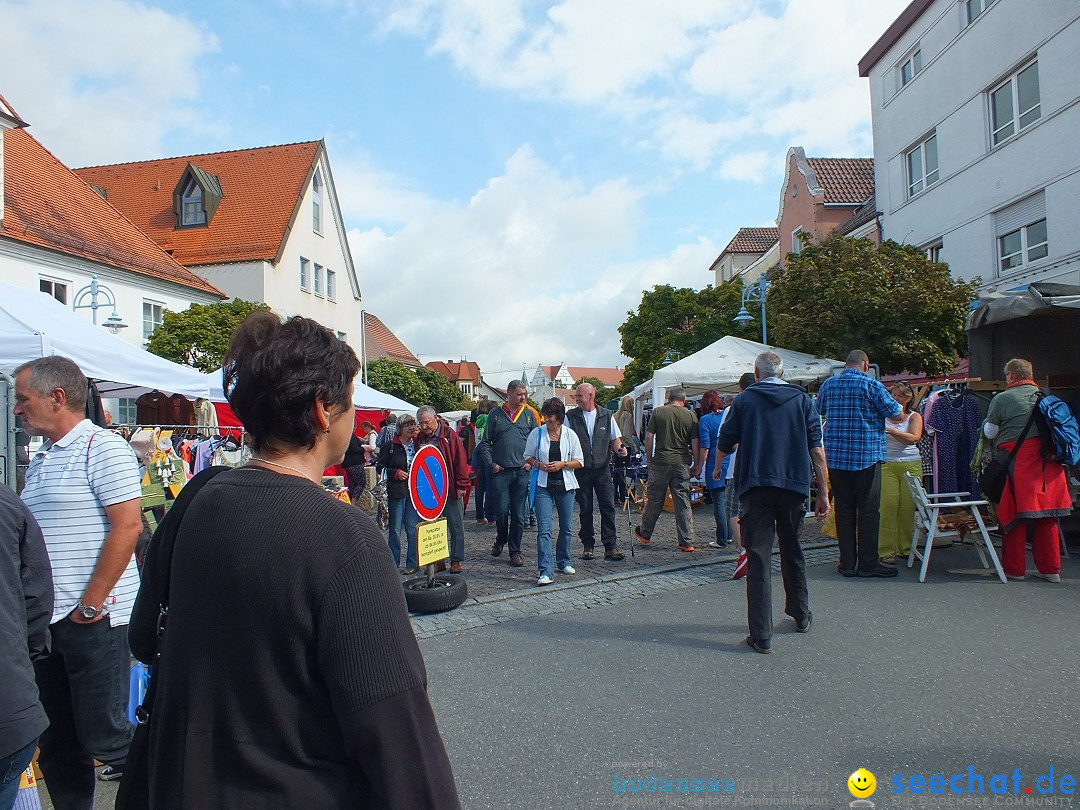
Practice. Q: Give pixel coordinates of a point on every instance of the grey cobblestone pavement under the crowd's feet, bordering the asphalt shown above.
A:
(502, 593)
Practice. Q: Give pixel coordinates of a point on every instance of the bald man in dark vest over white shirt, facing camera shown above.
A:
(600, 438)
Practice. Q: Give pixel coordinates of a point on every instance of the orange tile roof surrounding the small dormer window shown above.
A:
(261, 191)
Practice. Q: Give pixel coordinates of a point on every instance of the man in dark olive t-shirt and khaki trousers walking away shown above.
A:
(672, 447)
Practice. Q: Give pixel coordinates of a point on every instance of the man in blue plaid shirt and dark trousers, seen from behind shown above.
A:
(855, 408)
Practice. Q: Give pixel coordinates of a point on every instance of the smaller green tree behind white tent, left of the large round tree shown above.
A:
(682, 321)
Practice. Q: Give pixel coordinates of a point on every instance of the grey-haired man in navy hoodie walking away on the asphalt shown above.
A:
(778, 431)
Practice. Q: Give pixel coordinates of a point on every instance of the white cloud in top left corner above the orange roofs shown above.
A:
(102, 80)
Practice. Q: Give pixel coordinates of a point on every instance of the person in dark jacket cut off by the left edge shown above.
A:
(26, 607)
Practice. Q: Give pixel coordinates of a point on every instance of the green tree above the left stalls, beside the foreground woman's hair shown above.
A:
(199, 336)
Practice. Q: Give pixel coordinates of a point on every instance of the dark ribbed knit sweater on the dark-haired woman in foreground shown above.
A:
(290, 677)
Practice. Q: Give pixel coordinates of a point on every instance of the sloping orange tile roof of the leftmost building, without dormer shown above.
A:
(47, 205)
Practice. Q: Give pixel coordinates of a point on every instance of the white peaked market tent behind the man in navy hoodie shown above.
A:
(720, 367)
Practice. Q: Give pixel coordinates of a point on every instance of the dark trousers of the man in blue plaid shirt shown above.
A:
(858, 498)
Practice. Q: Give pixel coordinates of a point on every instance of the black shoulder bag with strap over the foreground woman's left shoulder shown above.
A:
(134, 791)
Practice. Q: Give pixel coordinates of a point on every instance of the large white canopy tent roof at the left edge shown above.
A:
(35, 326)
